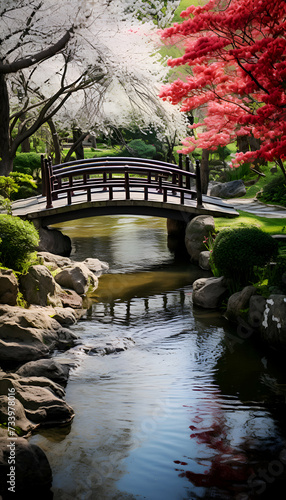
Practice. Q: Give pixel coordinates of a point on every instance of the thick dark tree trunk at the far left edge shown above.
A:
(6, 158)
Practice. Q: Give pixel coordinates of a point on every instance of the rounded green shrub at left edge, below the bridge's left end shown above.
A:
(18, 239)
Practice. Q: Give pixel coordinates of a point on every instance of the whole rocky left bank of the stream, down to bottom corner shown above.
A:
(54, 295)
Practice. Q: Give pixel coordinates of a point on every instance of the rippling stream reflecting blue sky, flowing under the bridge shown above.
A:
(193, 409)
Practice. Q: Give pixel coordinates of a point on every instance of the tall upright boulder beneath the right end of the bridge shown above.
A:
(197, 230)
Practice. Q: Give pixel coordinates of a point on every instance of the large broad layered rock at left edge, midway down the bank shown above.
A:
(30, 334)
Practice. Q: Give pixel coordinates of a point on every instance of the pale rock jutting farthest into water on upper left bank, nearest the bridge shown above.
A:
(77, 277)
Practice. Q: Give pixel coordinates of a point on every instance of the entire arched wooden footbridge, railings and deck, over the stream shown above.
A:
(105, 186)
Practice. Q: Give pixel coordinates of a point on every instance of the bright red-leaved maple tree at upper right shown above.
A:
(236, 50)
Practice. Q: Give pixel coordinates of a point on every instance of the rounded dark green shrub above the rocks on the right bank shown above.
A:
(239, 251)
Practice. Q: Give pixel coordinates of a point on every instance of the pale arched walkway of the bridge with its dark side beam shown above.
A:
(35, 207)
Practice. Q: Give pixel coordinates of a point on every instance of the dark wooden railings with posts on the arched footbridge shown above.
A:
(118, 174)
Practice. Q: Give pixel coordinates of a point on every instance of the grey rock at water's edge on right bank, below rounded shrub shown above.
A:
(209, 292)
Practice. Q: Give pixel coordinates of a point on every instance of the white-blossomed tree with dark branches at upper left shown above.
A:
(51, 52)
